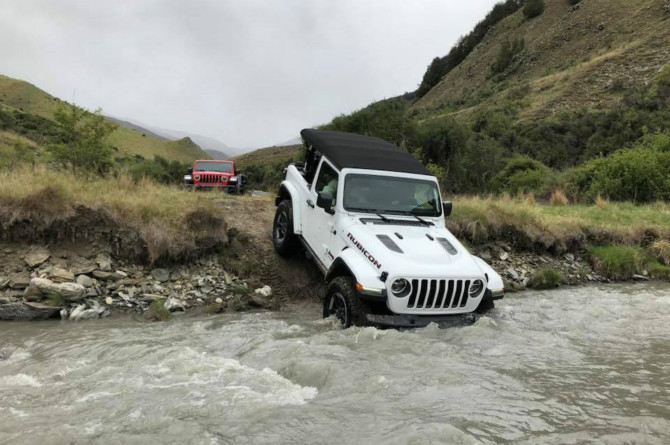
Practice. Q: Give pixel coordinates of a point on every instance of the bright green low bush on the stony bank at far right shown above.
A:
(617, 262)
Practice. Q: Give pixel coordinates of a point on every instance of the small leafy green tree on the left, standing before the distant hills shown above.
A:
(82, 140)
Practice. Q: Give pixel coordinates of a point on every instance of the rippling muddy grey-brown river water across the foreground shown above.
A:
(569, 366)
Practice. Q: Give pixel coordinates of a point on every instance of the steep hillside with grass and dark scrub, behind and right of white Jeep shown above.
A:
(572, 100)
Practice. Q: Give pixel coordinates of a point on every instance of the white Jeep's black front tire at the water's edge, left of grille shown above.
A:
(341, 301)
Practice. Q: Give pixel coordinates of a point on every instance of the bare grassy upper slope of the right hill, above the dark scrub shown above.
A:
(582, 56)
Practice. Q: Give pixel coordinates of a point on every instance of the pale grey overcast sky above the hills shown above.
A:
(250, 73)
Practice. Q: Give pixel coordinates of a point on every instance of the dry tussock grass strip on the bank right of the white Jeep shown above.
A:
(556, 228)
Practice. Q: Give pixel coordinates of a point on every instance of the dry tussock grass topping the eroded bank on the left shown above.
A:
(170, 223)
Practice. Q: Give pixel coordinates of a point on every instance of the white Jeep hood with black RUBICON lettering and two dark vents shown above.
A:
(412, 250)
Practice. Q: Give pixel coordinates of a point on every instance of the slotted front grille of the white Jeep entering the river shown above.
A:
(438, 294)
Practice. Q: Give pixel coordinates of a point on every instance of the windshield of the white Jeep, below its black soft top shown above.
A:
(393, 195)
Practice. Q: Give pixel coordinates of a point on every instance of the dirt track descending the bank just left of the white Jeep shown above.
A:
(291, 279)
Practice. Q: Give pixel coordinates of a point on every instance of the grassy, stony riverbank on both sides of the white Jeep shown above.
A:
(78, 249)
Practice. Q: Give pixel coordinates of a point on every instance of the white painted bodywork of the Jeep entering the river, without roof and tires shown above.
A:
(353, 237)
